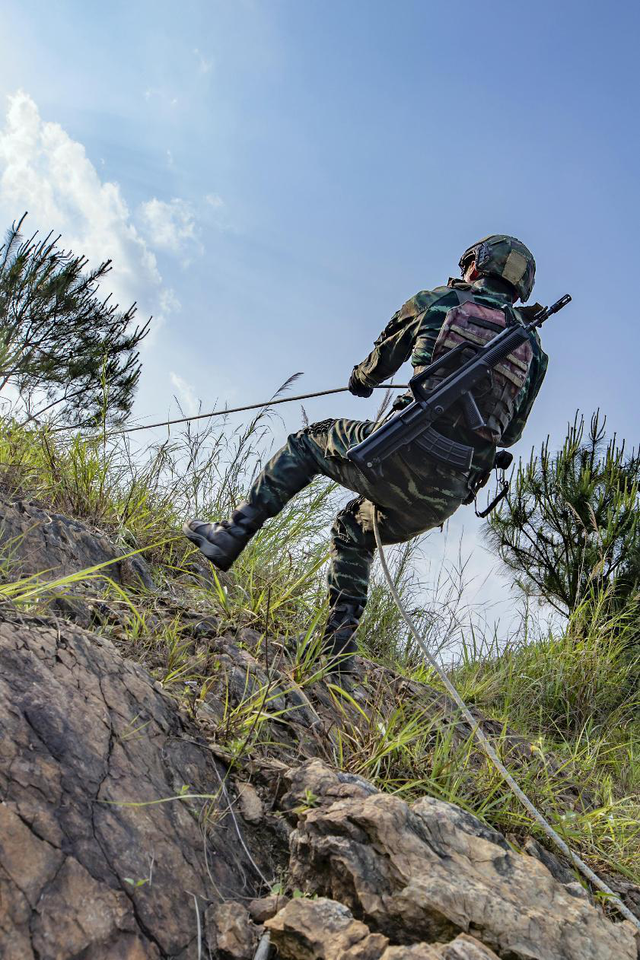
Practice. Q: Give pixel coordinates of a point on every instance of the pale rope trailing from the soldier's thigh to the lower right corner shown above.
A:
(488, 749)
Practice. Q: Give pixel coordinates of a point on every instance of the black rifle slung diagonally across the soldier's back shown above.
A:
(414, 423)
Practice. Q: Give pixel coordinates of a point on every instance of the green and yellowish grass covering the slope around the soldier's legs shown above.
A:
(572, 693)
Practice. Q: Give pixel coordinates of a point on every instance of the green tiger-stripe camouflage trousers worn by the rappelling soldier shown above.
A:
(415, 494)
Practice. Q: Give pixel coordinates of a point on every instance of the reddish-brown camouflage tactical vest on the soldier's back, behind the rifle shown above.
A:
(476, 324)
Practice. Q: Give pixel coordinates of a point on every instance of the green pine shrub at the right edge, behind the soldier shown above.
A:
(571, 522)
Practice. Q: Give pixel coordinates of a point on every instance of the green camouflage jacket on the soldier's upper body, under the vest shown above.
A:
(412, 333)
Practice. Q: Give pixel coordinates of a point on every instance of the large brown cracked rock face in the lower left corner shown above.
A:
(88, 861)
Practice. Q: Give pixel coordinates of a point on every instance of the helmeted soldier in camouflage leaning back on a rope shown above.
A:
(415, 493)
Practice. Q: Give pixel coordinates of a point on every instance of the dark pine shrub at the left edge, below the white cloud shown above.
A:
(63, 348)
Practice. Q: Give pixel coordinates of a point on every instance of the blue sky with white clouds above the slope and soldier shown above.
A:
(273, 179)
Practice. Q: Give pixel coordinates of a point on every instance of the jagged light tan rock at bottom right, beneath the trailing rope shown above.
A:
(414, 873)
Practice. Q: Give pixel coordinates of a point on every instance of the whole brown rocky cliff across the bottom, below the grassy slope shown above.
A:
(133, 823)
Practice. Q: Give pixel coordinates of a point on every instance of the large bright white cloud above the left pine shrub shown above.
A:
(45, 171)
